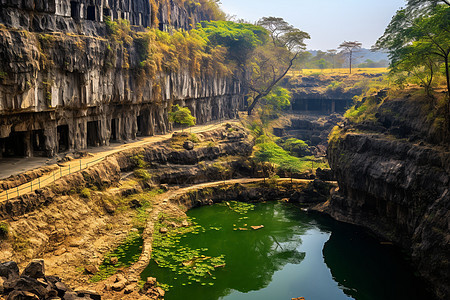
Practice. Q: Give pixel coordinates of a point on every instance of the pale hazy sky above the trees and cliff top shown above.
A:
(329, 22)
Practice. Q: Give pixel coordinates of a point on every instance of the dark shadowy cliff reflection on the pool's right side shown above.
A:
(366, 269)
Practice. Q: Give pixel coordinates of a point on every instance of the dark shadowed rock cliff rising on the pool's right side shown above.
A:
(394, 178)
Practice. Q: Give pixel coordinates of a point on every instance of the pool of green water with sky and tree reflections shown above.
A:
(296, 254)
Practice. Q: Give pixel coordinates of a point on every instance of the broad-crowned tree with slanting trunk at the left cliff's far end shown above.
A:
(262, 53)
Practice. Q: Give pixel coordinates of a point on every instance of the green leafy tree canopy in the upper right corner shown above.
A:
(418, 42)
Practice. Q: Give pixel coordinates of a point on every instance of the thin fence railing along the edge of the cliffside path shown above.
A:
(46, 179)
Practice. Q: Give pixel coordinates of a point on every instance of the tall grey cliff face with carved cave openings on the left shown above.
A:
(65, 86)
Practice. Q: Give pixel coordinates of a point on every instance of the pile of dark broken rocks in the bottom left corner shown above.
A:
(34, 284)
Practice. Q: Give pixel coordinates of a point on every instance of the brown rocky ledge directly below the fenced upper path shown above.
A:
(108, 172)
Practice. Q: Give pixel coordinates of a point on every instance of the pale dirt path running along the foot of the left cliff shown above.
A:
(96, 155)
